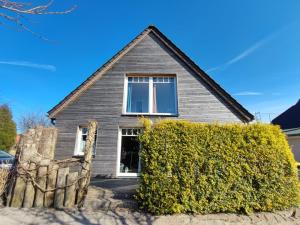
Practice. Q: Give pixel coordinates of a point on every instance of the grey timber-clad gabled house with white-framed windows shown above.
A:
(149, 77)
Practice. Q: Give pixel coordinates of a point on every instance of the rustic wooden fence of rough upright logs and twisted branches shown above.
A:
(37, 180)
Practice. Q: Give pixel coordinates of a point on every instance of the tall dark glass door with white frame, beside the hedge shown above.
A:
(129, 148)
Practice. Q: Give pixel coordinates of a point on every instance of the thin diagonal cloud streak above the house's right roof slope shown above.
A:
(247, 51)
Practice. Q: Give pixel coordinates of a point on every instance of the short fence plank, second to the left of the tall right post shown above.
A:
(60, 185)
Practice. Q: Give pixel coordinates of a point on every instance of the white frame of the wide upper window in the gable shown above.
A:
(150, 102)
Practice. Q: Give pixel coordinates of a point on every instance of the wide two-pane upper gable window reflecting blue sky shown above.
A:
(151, 95)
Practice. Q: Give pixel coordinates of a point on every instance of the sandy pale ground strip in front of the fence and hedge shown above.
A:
(13, 216)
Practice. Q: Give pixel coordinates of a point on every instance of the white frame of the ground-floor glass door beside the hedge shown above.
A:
(118, 173)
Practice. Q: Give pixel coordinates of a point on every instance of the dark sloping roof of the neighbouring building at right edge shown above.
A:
(289, 118)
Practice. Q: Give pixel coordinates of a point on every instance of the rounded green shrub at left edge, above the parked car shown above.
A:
(7, 129)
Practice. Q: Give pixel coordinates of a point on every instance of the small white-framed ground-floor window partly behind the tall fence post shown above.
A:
(82, 133)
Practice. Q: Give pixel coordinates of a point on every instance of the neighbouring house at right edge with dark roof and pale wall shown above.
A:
(289, 121)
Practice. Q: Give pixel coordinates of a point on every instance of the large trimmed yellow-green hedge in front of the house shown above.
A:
(209, 168)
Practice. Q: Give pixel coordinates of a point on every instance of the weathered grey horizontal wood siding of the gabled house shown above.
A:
(104, 99)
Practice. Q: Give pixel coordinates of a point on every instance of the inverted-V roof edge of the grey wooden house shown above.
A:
(238, 109)
